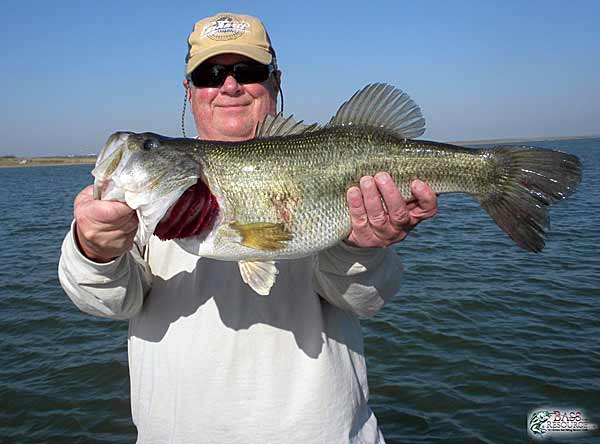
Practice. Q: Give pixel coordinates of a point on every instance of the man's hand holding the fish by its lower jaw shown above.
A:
(105, 229)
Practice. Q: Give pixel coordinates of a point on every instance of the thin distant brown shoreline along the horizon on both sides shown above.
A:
(16, 161)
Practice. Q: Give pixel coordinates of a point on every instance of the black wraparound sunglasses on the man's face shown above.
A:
(242, 72)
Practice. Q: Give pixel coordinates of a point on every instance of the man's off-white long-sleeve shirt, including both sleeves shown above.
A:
(211, 361)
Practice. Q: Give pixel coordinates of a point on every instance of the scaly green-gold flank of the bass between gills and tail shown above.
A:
(301, 180)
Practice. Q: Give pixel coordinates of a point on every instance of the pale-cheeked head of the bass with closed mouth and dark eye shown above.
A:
(148, 172)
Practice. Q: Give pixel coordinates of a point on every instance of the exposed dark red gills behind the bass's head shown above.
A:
(192, 214)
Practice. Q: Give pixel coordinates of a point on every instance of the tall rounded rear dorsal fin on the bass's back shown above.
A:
(380, 105)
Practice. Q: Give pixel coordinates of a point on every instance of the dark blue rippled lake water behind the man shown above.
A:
(481, 334)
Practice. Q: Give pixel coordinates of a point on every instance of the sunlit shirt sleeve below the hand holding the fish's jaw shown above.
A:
(114, 289)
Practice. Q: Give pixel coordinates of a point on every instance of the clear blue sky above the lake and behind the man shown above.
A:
(74, 72)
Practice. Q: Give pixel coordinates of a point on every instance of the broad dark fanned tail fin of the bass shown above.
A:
(529, 179)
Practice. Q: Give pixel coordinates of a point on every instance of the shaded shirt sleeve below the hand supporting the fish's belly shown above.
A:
(360, 280)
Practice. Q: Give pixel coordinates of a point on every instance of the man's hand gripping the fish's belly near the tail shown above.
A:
(374, 225)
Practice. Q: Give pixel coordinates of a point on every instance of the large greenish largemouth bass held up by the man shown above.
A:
(282, 194)
